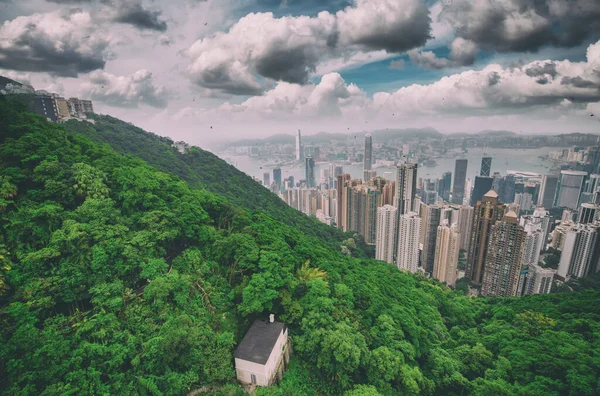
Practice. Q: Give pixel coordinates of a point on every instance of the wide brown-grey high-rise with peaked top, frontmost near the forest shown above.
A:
(504, 258)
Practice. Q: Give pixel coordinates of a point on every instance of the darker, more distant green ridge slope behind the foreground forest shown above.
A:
(205, 170)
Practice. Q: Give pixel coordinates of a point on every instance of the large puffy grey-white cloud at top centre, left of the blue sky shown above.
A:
(289, 49)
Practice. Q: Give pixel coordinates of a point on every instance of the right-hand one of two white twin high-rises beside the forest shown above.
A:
(407, 253)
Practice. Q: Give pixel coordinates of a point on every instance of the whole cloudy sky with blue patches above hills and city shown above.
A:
(206, 71)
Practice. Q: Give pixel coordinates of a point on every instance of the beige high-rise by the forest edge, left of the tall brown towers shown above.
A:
(447, 247)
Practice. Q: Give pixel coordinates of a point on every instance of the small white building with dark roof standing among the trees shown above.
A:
(263, 354)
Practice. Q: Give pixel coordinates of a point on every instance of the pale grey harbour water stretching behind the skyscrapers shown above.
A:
(503, 160)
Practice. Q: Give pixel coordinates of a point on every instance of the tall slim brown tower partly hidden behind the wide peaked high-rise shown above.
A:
(485, 214)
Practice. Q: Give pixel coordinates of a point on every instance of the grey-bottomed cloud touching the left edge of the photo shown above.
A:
(60, 43)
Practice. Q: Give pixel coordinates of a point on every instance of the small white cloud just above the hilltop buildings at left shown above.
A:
(125, 91)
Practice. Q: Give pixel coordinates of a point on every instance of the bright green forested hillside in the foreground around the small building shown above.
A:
(117, 278)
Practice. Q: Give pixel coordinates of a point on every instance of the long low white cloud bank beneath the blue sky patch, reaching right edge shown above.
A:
(494, 90)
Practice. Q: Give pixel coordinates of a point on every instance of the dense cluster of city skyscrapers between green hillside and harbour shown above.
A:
(496, 224)
